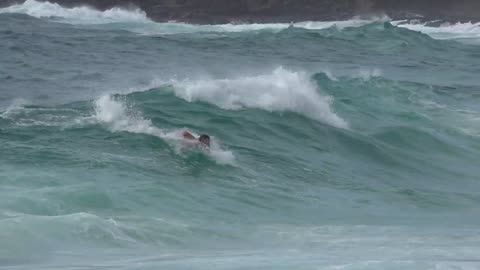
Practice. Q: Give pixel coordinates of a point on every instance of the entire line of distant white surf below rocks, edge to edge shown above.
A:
(137, 21)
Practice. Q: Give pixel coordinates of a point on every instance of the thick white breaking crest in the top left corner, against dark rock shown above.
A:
(80, 15)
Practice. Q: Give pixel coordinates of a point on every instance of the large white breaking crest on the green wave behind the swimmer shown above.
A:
(282, 90)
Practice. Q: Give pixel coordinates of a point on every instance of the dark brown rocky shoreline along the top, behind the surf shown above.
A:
(262, 11)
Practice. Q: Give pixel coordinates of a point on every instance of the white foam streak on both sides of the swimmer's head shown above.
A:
(120, 117)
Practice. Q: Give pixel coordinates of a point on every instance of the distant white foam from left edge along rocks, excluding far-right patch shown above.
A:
(88, 15)
